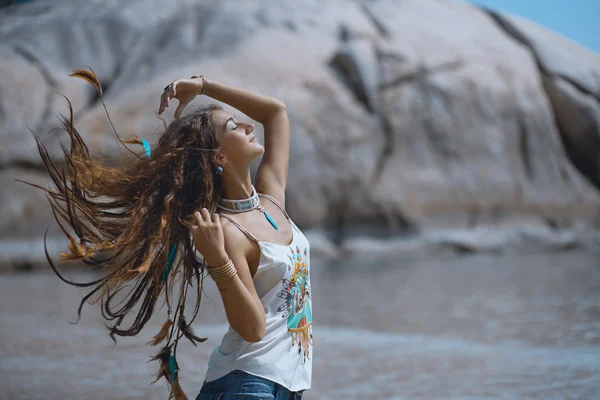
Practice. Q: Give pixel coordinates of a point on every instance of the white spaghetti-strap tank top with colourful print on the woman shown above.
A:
(282, 281)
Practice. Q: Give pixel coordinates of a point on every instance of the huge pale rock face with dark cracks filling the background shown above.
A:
(405, 115)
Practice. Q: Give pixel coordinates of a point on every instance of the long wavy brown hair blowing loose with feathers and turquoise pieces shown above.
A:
(129, 220)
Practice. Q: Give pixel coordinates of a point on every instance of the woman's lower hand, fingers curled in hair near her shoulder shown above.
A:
(208, 237)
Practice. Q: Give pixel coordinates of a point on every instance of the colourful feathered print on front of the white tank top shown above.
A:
(296, 293)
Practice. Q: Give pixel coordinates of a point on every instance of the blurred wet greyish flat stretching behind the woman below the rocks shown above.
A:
(502, 327)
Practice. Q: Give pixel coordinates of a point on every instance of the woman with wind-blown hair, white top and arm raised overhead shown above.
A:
(136, 221)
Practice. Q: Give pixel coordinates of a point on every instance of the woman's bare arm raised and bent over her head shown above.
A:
(271, 177)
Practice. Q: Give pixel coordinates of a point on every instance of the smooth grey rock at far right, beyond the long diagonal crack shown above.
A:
(573, 88)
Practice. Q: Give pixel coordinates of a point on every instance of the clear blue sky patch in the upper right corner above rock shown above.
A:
(578, 20)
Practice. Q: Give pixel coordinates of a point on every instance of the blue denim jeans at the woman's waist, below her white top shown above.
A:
(240, 385)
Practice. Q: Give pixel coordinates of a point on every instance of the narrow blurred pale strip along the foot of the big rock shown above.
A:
(496, 238)
